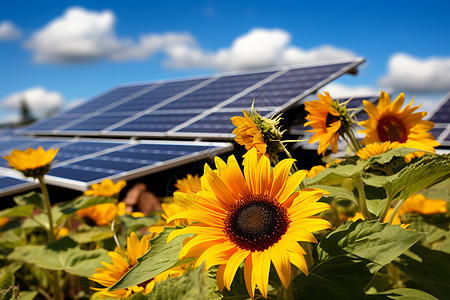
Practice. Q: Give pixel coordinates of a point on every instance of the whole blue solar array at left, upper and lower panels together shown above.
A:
(189, 109)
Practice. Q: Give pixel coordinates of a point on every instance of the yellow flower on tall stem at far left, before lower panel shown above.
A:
(32, 163)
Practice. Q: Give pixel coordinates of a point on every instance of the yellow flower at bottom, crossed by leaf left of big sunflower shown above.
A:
(120, 264)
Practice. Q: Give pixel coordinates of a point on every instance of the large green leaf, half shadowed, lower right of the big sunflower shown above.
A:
(348, 258)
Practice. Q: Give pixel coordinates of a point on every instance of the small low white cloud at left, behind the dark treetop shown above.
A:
(40, 101)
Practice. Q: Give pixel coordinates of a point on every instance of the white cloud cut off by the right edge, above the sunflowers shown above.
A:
(409, 73)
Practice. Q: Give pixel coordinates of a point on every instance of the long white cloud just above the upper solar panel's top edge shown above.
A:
(259, 47)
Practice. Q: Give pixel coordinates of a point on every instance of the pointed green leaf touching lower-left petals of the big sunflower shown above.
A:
(162, 256)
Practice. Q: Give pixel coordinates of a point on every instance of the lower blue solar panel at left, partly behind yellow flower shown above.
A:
(82, 162)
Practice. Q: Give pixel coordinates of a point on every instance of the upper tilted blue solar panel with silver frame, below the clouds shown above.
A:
(192, 108)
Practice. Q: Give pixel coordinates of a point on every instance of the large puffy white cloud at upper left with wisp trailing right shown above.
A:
(81, 35)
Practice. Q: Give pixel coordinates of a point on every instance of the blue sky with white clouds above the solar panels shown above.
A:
(57, 53)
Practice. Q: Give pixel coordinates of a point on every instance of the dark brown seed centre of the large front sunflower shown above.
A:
(256, 222)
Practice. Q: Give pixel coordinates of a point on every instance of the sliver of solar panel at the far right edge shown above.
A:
(440, 116)
